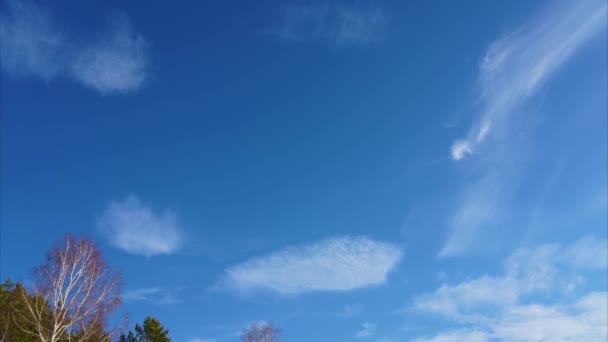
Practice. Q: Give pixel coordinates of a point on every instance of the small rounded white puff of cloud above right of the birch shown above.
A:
(136, 229)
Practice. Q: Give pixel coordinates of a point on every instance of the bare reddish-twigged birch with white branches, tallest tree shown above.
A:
(78, 289)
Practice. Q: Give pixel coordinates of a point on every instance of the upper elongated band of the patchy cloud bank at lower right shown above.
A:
(526, 271)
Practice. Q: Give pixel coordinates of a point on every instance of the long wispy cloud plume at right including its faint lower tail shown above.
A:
(512, 71)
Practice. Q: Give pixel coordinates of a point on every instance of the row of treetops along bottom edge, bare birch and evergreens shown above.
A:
(73, 294)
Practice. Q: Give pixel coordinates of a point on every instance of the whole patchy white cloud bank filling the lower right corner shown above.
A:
(509, 306)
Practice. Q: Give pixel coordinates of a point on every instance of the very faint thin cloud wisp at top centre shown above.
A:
(336, 25)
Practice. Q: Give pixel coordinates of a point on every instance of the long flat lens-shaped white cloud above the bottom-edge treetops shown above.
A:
(335, 264)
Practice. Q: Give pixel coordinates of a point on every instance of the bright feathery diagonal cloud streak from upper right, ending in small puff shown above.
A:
(515, 66)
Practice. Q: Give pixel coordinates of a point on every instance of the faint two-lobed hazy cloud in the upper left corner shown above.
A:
(115, 61)
